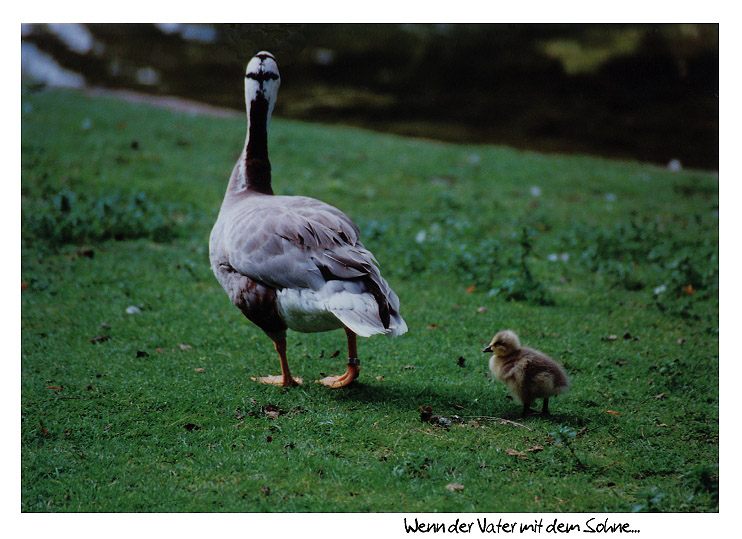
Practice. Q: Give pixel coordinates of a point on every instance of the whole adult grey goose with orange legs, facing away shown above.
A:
(293, 262)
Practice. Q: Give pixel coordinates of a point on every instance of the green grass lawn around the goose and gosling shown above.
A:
(118, 201)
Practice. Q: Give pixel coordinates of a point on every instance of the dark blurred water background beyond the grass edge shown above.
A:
(644, 92)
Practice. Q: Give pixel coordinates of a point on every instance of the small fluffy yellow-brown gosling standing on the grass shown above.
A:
(528, 373)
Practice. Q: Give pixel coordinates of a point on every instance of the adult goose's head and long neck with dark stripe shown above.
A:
(261, 90)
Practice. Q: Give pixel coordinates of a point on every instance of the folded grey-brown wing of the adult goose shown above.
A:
(302, 243)
